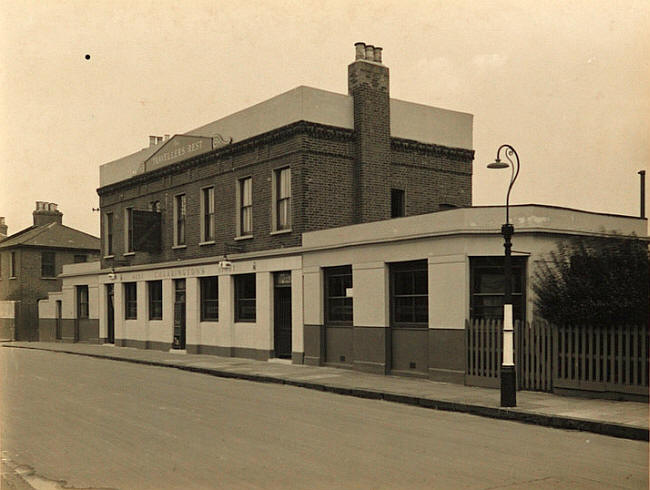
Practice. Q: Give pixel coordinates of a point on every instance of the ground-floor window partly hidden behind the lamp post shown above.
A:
(487, 281)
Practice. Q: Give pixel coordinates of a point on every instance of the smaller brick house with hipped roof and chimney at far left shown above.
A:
(30, 261)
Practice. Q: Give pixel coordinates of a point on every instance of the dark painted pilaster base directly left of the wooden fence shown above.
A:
(447, 355)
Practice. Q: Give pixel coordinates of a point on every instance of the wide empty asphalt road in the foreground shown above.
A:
(106, 424)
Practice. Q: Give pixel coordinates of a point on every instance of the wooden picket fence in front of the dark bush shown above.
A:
(596, 359)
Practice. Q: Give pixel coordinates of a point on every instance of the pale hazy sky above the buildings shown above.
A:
(567, 84)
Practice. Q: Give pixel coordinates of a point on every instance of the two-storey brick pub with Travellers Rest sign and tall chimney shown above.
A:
(201, 232)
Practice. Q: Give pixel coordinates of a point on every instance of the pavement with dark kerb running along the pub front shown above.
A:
(625, 419)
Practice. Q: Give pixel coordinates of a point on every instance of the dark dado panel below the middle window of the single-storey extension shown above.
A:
(409, 351)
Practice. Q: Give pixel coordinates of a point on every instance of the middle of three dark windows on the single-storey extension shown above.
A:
(409, 294)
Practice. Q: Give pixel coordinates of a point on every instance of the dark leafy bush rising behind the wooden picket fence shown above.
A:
(594, 281)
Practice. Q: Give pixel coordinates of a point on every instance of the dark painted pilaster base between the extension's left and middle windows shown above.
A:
(372, 349)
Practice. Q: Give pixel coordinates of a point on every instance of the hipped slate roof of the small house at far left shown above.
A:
(53, 235)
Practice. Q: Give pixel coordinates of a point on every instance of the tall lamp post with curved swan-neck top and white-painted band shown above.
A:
(508, 375)
